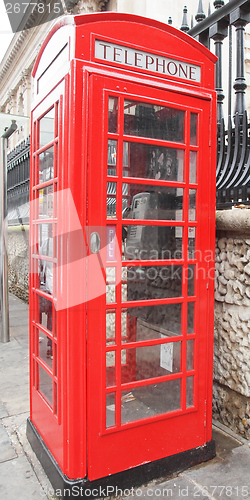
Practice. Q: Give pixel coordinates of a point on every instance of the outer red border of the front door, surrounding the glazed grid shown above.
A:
(129, 445)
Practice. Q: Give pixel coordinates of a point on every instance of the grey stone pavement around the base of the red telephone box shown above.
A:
(22, 478)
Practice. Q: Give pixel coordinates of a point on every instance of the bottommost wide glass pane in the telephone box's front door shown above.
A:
(150, 400)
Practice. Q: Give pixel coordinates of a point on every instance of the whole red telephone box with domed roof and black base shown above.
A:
(122, 251)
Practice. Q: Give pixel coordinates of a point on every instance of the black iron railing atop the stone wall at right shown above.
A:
(233, 142)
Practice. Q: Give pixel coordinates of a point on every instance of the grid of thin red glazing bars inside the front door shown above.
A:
(121, 392)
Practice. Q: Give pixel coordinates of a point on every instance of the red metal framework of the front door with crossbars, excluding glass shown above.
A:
(169, 430)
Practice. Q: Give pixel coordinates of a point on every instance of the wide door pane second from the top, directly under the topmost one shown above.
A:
(152, 162)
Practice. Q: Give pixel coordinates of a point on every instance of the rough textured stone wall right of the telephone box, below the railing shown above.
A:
(232, 321)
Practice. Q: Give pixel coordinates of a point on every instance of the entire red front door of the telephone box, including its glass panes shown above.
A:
(150, 218)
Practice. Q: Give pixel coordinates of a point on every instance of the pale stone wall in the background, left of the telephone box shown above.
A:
(18, 261)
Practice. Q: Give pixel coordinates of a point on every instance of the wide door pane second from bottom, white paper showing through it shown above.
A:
(151, 361)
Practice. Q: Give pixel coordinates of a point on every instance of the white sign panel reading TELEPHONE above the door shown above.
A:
(134, 58)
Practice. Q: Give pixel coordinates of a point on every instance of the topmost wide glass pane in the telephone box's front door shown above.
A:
(149, 120)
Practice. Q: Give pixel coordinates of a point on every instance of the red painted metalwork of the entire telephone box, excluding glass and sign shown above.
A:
(76, 433)
